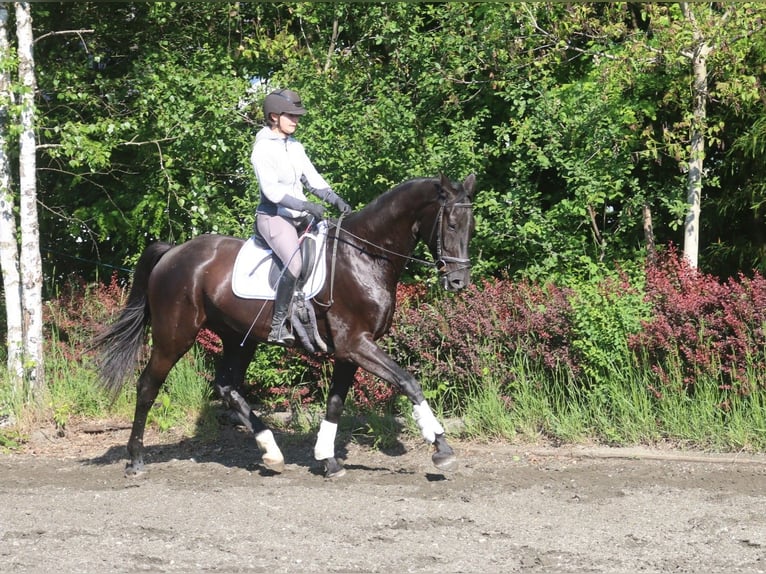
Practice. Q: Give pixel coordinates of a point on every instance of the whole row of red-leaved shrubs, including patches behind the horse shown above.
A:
(704, 328)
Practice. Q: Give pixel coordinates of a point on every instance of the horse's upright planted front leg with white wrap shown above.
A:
(324, 450)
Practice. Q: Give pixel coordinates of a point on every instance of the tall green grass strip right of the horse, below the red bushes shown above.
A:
(621, 409)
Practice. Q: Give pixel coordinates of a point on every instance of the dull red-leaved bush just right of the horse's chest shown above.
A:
(453, 337)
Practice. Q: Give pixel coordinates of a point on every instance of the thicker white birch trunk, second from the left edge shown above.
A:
(31, 262)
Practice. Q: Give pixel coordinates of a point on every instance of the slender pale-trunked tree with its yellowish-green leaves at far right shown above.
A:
(706, 47)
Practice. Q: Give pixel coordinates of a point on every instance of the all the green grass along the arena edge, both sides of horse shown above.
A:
(521, 401)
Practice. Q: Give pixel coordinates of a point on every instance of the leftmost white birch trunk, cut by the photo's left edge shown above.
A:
(9, 252)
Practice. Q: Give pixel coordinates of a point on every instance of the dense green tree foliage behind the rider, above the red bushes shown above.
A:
(574, 116)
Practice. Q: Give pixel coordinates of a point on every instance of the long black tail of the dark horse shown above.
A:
(119, 345)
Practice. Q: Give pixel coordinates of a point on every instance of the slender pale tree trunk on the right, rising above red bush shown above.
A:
(698, 56)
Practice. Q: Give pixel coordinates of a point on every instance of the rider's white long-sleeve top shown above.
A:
(283, 168)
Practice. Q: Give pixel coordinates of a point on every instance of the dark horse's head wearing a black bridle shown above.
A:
(452, 230)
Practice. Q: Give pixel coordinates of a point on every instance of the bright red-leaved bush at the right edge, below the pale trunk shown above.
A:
(712, 329)
